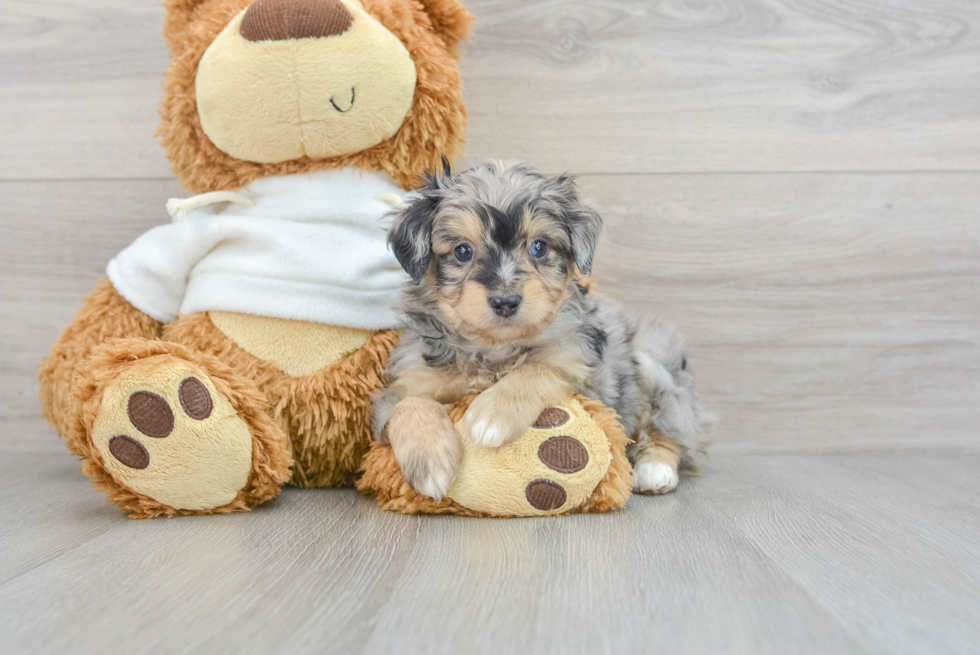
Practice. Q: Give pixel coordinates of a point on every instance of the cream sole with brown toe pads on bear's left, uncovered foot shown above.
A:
(165, 431)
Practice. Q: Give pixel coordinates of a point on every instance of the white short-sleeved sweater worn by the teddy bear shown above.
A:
(311, 247)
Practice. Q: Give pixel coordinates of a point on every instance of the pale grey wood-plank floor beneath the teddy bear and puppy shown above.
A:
(834, 553)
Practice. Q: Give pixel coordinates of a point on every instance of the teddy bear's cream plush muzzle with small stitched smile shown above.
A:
(276, 100)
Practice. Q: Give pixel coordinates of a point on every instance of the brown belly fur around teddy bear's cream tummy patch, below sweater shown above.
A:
(327, 415)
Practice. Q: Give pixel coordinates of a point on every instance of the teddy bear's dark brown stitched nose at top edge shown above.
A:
(278, 20)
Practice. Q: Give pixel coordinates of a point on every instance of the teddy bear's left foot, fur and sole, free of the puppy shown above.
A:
(174, 432)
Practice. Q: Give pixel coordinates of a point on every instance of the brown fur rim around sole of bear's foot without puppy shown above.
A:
(270, 450)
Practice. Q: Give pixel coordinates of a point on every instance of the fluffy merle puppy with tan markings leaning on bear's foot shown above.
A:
(496, 308)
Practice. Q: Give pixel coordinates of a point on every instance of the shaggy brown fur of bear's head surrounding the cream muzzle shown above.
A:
(434, 126)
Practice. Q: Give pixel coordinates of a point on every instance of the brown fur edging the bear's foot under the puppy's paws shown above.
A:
(383, 477)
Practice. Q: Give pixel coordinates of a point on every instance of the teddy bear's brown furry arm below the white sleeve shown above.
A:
(106, 315)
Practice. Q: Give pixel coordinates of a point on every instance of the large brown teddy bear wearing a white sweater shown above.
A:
(236, 348)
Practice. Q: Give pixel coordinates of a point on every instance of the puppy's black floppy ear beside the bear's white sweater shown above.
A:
(410, 236)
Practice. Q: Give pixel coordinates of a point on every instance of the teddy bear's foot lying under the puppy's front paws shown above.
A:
(572, 460)
